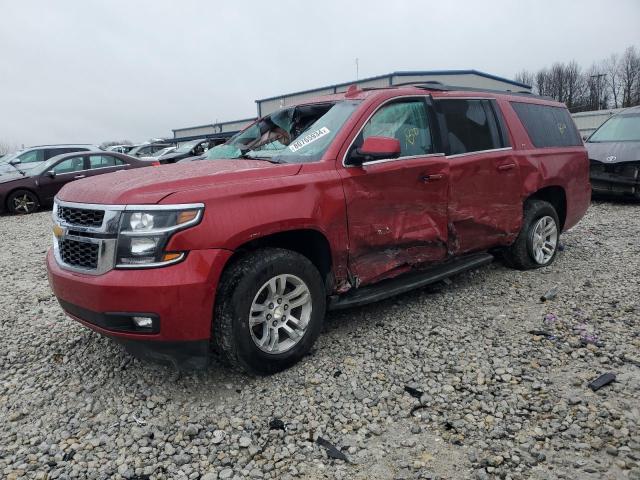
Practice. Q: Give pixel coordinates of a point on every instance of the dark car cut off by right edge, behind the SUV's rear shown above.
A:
(614, 154)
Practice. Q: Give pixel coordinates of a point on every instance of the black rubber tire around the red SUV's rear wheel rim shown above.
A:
(520, 255)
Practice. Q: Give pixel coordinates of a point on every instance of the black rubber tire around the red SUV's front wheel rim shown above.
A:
(240, 284)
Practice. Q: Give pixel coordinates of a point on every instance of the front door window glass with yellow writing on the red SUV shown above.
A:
(405, 121)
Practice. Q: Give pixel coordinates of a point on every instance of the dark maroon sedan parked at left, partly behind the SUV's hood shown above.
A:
(24, 192)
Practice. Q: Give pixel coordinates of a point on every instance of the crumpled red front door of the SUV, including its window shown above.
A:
(397, 207)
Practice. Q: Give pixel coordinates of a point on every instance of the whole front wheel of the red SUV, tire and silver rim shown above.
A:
(269, 310)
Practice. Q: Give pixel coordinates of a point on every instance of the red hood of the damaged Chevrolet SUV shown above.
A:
(149, 185)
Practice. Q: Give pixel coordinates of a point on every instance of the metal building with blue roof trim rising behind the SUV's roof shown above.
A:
(458, 78)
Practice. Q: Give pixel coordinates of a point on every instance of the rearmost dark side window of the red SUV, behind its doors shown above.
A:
(548, 126)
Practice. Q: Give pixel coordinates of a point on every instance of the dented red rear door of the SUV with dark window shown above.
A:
(485, 208)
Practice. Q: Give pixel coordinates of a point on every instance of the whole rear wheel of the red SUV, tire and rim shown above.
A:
(537, 243)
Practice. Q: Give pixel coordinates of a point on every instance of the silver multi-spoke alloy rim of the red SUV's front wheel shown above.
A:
(280, 314)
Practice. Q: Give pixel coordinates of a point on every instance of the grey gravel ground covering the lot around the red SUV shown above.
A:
(493, 399)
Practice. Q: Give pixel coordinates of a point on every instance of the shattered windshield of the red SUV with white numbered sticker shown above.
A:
(293, 135)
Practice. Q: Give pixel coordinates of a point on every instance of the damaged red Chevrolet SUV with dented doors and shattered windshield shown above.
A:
(340, 201)
